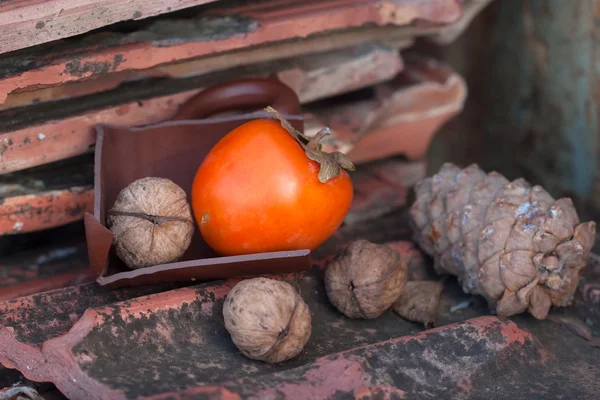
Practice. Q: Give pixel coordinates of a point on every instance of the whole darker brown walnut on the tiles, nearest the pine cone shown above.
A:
(365, 279)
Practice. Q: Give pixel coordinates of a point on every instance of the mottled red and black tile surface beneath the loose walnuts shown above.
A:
(172, 345)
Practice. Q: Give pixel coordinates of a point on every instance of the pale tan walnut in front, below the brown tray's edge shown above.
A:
(267, 319)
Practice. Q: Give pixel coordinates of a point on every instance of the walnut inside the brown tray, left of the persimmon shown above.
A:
(152, 223)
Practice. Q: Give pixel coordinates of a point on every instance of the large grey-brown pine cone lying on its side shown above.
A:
(507, 241)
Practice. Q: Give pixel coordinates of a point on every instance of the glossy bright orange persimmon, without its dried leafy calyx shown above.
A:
(256, 191)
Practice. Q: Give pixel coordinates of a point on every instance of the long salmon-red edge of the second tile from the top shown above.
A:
(291, 19)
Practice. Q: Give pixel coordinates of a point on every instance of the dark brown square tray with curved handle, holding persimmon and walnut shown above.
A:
(175, 149)
